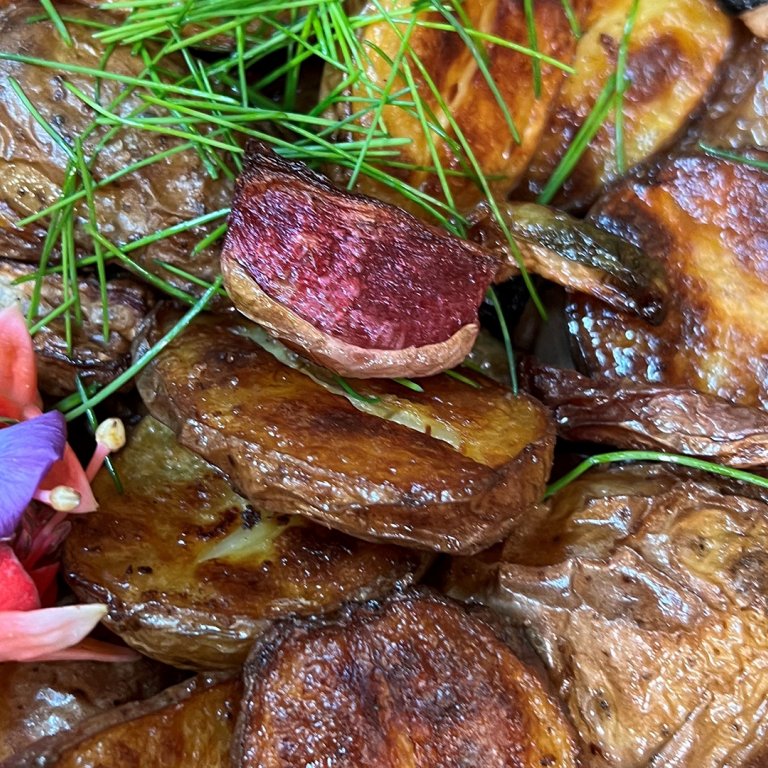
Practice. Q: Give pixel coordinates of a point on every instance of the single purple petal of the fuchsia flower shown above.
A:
(27, 451)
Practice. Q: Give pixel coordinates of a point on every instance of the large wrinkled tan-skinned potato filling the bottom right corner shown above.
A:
(644, 593)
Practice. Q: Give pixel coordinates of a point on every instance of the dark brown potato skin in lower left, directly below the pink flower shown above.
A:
(43, 699)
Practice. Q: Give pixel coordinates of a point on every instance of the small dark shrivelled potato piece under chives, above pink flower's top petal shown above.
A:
(92, 358)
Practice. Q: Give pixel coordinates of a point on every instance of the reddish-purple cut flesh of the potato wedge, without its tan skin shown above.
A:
(359, 270)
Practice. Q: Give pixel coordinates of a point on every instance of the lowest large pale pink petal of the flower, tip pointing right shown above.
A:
(28, 635)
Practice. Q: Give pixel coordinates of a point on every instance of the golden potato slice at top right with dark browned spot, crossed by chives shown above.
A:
(674, 52)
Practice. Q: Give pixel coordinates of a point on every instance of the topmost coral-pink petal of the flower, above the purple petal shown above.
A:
(18, 369)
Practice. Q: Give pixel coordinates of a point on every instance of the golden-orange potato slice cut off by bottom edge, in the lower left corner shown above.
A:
(190, 724)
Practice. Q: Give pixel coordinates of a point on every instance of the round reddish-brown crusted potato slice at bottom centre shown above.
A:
(414, 681)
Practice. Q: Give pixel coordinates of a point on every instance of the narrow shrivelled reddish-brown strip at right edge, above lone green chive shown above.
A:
(626, 414)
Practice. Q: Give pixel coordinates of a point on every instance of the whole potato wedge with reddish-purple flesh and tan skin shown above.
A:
(360, 286)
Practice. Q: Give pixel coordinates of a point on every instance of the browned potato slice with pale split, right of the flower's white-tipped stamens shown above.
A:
(192, 573)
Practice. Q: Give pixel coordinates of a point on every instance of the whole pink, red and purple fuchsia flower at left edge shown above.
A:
(41, 482)
